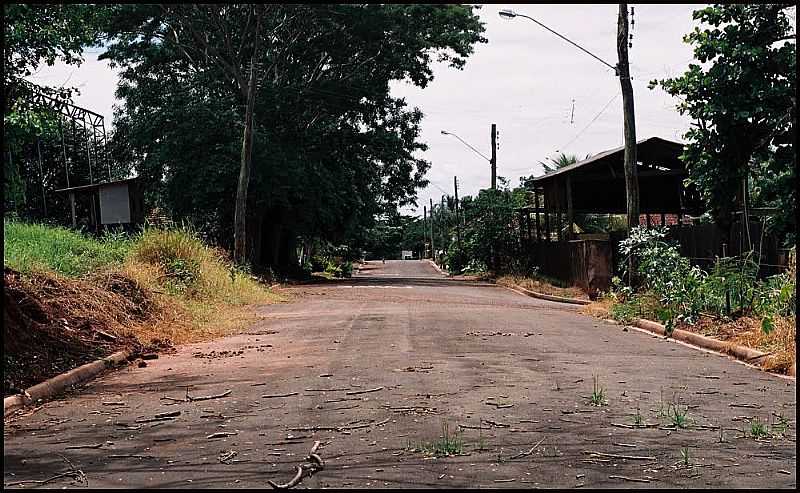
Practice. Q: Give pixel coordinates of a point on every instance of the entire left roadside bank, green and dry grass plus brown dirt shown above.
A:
(70, 298)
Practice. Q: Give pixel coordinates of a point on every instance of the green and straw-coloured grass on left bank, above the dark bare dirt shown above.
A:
(186, 291)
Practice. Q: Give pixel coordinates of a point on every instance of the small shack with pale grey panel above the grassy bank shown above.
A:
(116, 203)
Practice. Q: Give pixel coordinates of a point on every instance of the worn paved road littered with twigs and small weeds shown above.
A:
(515, 371)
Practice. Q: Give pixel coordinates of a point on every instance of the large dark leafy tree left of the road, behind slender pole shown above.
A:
(332, 148)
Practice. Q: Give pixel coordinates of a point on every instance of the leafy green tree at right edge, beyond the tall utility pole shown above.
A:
(741, 96)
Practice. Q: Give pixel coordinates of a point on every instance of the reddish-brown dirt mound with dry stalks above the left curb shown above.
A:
(53, 324)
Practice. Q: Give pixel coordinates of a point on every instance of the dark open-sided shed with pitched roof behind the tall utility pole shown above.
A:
(597, 186)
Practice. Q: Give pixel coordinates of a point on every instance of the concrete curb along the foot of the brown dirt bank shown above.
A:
(59, 383)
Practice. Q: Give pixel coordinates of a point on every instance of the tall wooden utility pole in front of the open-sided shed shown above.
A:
(623, 71)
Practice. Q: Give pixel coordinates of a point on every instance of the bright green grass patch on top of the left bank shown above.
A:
(37, 247)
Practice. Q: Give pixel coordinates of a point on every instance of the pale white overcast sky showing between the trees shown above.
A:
(525, 79)
